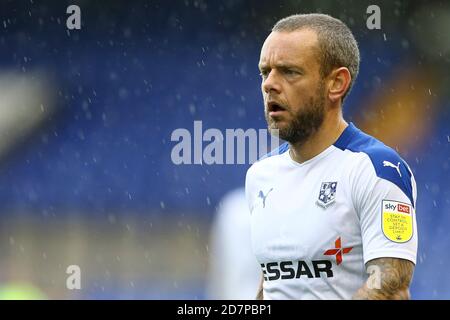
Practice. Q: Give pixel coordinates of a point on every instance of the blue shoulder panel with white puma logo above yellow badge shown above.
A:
(387, 163)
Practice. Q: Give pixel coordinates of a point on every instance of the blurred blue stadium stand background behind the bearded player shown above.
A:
(86, 117)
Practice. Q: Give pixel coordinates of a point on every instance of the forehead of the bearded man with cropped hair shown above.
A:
(295, 47)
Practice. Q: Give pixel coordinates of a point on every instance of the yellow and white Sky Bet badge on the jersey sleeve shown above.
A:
(397, 221)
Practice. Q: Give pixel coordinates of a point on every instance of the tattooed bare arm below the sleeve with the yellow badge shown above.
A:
(389, 280)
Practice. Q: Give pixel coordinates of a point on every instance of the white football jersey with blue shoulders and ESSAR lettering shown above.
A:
(314, 225)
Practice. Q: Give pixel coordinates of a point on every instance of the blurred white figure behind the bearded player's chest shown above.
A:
(233, 270)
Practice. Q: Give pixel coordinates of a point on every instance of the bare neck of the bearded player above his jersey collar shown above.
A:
(325, 136)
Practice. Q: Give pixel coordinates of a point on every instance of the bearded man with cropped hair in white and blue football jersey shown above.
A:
(334, 204)
